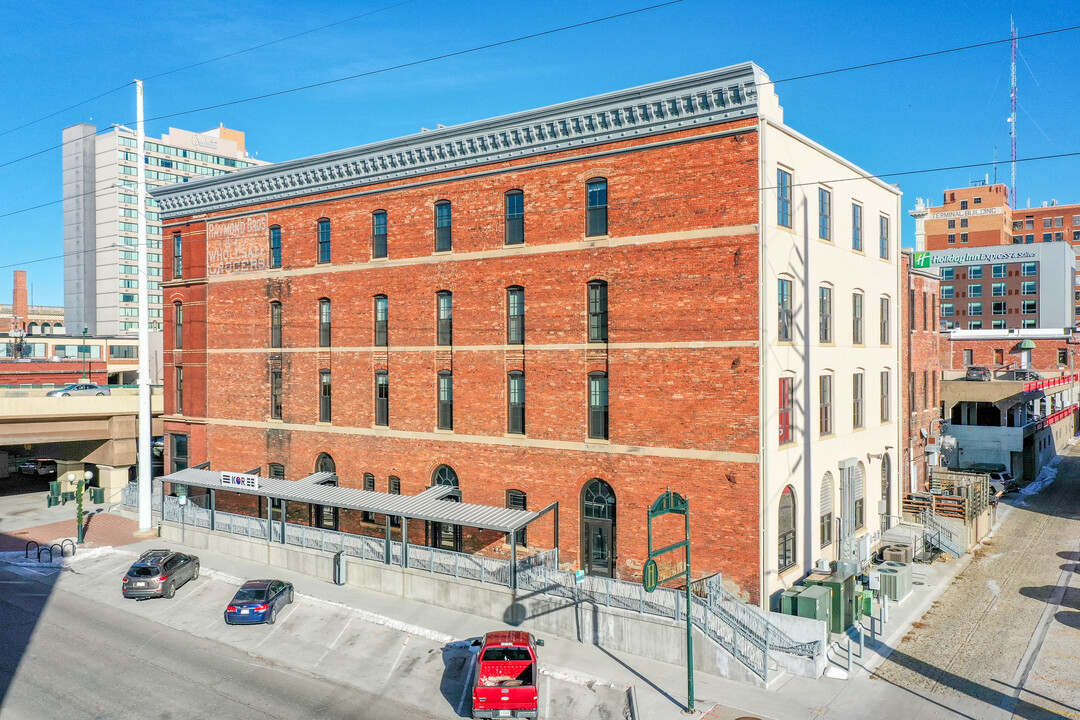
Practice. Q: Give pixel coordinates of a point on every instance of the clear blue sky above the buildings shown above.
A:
(933, 113)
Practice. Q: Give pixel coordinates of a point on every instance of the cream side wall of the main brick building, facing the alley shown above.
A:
(811, 458)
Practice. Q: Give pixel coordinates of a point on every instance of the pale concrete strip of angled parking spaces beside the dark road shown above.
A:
(428, 670)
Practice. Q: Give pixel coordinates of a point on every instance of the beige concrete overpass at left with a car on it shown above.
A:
(78, 430)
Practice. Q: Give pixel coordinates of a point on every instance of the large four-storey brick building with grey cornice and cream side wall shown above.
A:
(585, 304)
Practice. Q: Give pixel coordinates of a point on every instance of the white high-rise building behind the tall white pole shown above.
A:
(101, 216)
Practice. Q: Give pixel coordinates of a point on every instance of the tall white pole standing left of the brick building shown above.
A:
(144, 330)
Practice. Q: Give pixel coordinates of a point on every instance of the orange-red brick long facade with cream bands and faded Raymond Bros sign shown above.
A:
(670, 278)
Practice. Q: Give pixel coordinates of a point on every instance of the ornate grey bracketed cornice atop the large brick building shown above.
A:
(695, 101)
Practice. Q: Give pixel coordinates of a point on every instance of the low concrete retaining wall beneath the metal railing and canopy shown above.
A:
(650, 636)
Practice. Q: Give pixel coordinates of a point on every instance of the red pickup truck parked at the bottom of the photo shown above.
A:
(507, 676)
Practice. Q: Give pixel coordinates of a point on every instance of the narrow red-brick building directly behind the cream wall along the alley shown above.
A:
(926, 356)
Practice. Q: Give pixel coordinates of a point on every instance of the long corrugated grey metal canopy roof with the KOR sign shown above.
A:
(428, 506)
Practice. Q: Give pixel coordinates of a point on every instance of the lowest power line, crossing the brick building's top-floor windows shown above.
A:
(428, 222)
